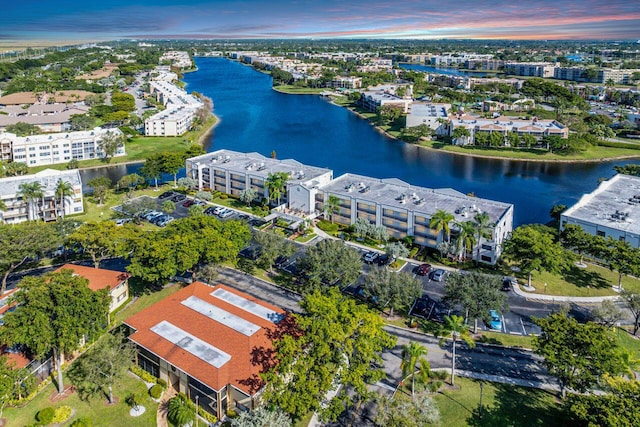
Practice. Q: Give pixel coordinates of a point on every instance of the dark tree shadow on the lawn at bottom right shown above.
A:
(518, 406)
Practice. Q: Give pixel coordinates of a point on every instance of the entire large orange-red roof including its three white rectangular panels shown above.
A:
(210, 333)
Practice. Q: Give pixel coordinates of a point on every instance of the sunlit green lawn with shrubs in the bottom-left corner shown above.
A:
(95, 409)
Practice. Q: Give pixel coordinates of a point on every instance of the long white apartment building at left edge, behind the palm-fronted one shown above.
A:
(54, 148)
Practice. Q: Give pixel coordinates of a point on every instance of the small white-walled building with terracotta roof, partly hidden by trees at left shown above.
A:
(116, 281)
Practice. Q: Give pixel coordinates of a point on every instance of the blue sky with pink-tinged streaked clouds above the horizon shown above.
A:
(410, 19)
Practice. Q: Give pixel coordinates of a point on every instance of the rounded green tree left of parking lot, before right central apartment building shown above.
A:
(330, 261)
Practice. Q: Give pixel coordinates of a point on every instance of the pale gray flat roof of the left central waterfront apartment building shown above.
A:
(258, 165)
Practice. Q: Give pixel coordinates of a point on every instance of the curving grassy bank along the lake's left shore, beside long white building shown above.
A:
(140, 147)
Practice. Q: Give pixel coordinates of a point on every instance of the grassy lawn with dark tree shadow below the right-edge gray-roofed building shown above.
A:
(581, 282)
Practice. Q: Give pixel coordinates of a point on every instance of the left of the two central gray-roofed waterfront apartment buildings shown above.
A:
(231, 172)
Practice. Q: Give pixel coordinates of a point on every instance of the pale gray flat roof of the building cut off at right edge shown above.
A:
(614, 204)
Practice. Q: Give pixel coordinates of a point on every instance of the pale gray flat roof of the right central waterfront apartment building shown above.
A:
(396, 193)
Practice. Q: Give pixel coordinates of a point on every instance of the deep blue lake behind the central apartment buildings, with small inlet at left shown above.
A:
(313, 131)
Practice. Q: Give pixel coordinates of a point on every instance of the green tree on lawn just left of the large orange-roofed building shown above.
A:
(96, 372)
